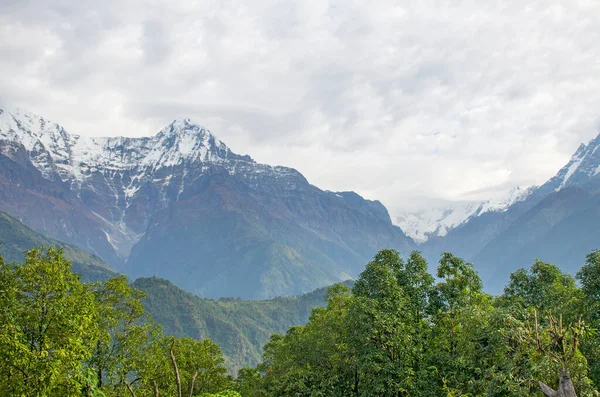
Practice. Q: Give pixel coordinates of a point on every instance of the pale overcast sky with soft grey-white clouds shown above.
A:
(408, 102)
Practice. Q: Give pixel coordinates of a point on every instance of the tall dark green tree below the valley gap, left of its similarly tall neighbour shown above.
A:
(384, 326)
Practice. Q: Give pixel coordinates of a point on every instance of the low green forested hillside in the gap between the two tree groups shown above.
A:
(241, 328)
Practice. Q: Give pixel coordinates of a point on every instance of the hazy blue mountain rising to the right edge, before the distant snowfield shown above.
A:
(557, 222)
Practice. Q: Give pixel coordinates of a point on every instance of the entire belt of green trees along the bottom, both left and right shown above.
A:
(398, 331)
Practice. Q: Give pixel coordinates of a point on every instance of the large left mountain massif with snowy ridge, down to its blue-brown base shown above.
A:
(182, 206)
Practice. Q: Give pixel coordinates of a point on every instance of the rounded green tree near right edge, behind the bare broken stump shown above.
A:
(526, 317)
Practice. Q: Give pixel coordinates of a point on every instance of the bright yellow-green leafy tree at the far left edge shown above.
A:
(48, 327)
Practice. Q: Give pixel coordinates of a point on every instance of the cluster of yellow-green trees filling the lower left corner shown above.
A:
(62, 337)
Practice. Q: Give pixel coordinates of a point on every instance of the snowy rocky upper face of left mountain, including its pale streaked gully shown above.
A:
(125, 171)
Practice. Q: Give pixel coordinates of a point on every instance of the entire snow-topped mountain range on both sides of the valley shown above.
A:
(182, 206)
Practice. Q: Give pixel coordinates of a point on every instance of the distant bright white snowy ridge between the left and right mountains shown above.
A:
(439, 220)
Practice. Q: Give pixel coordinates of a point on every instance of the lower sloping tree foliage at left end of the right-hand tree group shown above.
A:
(311, 360)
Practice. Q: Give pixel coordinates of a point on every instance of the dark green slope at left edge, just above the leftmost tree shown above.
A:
(16, 238)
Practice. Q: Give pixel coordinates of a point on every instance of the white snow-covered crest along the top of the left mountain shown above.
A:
(72, 158)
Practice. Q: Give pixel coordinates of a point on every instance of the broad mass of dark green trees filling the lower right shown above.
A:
(400, 333)
